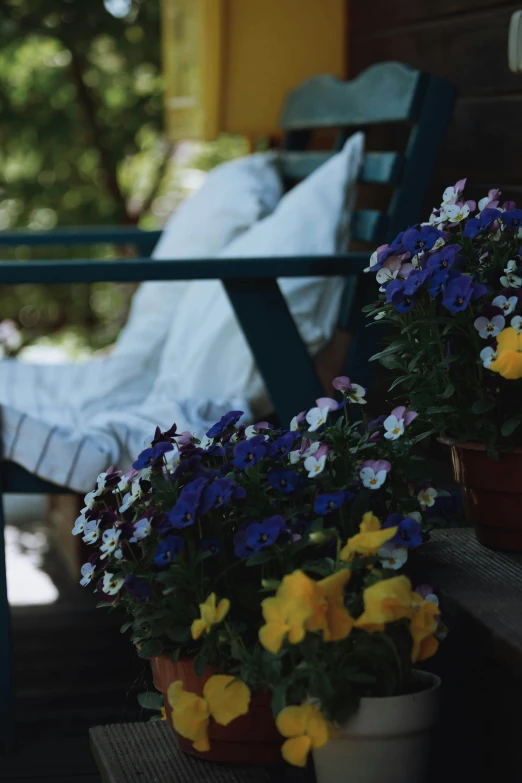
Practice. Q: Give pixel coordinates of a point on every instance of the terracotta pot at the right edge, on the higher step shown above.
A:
(492, 493)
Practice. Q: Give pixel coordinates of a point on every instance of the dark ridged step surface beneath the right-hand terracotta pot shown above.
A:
(483, 584)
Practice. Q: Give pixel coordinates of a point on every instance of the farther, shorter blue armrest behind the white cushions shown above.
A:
(115, 235)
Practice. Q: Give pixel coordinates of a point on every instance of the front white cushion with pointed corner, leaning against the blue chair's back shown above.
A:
(206, 357)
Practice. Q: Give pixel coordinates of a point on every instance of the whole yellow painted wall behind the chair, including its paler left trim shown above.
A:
(229, 63)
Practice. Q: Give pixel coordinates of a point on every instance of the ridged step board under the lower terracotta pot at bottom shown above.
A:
(139, 752)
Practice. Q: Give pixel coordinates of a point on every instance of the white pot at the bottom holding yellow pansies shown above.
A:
(386, 741)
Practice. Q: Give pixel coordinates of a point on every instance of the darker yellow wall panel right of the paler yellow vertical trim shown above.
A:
(273, 45)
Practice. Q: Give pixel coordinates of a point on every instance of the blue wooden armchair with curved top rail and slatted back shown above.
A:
(385, 93)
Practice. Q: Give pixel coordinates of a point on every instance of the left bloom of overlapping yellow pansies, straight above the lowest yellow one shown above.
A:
(283, 618)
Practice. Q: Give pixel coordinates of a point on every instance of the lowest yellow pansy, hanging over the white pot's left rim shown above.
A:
(306, 728)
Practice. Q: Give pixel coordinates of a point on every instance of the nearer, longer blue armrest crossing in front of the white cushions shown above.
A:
(142, 269)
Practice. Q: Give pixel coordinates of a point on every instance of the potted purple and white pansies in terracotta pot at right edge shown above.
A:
(451, 291)
